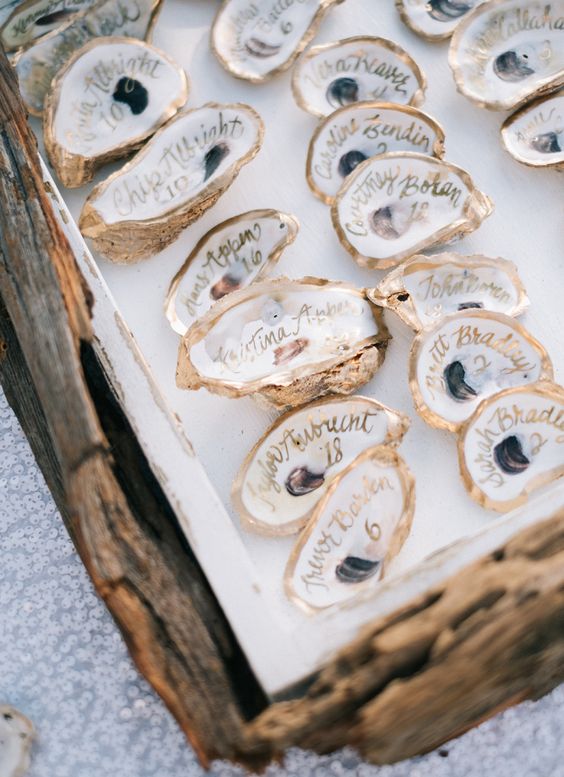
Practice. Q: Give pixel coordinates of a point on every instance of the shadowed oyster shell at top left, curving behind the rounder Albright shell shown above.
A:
(37, 64)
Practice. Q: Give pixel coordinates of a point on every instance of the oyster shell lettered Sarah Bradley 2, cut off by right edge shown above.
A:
(513, 444)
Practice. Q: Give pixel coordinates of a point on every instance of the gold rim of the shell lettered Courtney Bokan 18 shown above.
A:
(476, 204)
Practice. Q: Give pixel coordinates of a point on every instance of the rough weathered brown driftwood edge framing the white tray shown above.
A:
(487, 638)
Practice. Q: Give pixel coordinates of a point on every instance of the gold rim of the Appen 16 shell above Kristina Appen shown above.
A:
(293, 228)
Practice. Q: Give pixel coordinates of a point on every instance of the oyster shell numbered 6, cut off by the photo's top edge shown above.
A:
(256, 40)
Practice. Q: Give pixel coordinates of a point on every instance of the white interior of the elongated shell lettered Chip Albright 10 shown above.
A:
(179, 163)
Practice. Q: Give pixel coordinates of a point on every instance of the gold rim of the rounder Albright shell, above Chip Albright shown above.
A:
(90, 164)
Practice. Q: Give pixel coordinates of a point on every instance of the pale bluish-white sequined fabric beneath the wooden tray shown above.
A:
(63, 663)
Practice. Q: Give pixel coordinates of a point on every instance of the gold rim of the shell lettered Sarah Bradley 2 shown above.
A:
(545, 388)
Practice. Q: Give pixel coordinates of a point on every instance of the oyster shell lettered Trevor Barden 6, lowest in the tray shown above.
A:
(357, 527)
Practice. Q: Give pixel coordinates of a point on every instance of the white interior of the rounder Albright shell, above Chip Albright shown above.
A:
(116, 92)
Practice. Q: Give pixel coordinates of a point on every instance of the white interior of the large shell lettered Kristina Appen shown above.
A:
(274, 336)
